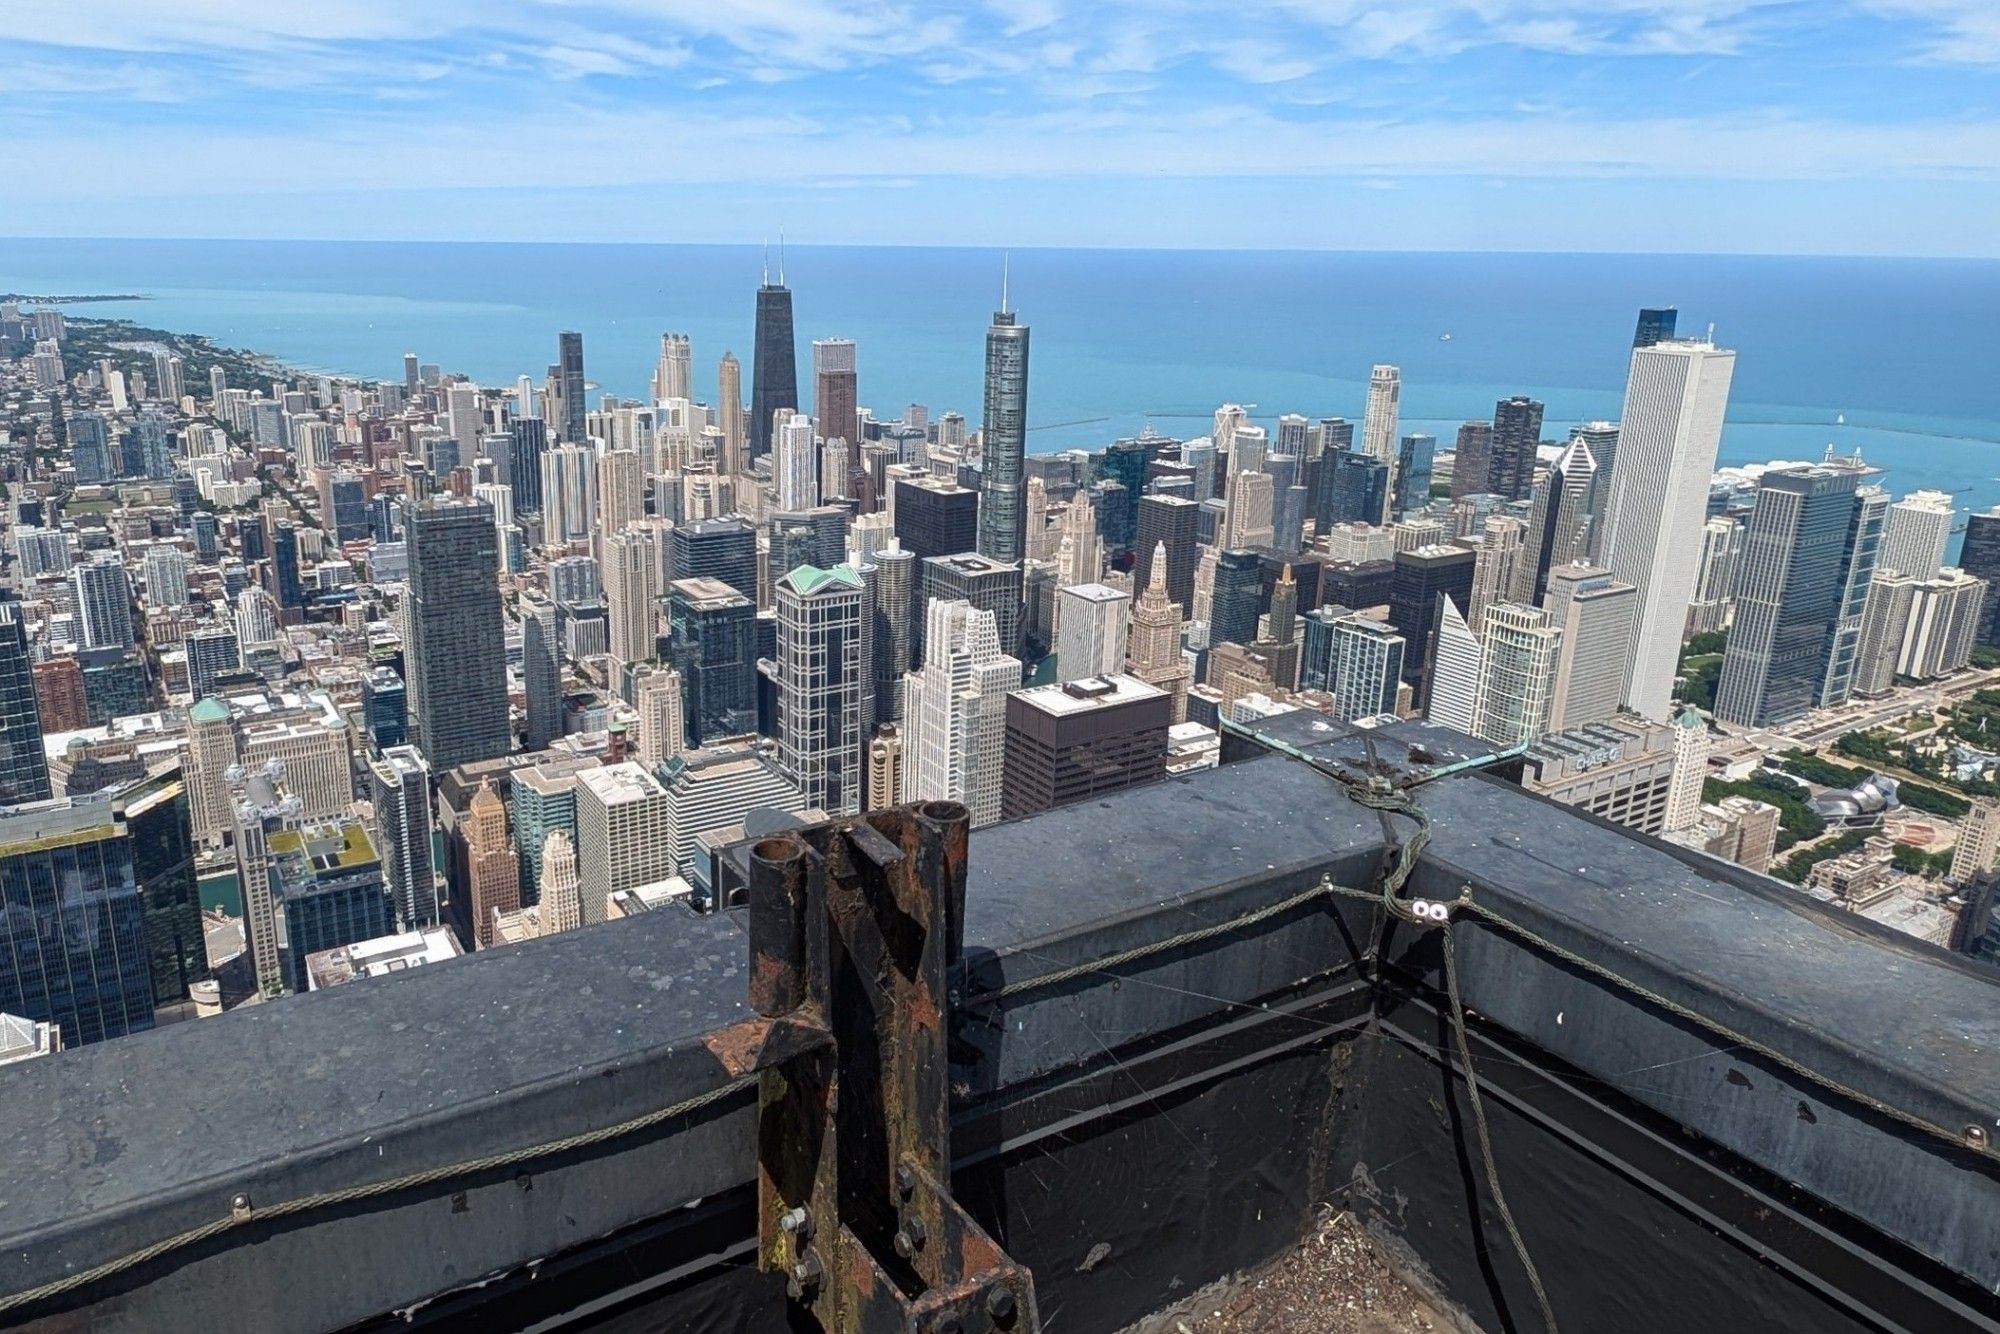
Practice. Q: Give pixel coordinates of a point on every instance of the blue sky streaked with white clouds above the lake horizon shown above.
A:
(1845, 127)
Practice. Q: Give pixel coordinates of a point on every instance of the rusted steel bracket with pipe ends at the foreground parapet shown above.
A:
(853, 927)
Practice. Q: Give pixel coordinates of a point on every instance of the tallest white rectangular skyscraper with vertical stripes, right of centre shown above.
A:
(1659, 501)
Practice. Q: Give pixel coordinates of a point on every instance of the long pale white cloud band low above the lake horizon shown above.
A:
(633, 149)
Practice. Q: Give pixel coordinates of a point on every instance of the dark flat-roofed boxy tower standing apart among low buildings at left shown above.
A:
(457, 655)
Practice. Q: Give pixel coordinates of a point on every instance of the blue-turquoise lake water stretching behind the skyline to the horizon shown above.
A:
(1907, 351)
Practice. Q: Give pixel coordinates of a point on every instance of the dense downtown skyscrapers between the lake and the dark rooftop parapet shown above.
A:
(467, 665)
